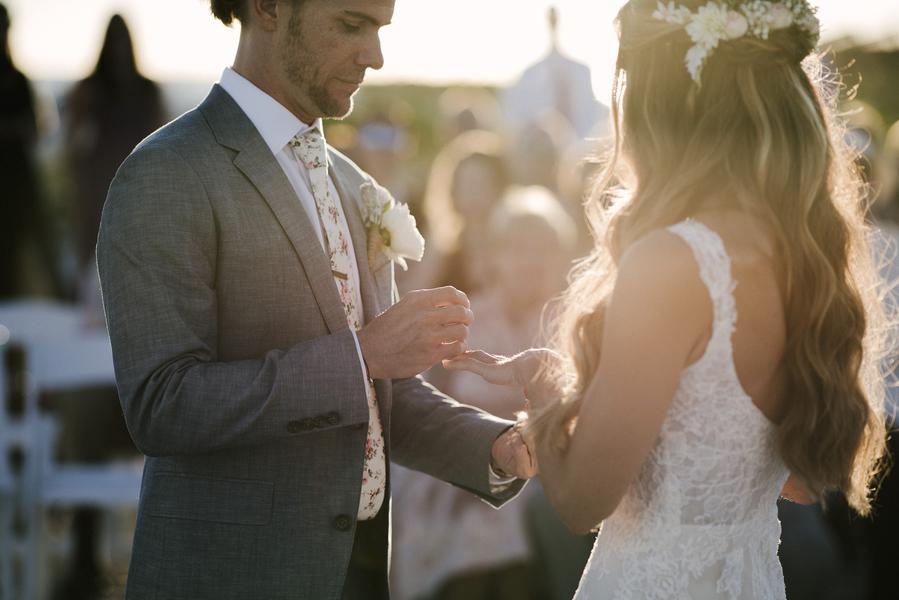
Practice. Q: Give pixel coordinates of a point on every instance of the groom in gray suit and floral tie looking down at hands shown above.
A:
(262, 364)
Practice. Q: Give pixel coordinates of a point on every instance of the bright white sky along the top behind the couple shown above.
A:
(432, 41)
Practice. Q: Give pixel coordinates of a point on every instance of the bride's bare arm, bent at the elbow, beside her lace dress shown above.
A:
(659, 314)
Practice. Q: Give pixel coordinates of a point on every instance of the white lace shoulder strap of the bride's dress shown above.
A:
(714, 270)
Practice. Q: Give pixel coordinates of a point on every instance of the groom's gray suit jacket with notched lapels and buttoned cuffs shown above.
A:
(238, 376)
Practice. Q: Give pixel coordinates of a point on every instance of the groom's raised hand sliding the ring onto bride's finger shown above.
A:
(416, 333)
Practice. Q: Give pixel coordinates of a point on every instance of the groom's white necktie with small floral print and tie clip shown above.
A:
(310, 151)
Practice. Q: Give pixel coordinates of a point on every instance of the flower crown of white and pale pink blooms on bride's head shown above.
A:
(727, 20)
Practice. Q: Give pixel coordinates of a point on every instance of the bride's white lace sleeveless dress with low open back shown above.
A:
(700, 520)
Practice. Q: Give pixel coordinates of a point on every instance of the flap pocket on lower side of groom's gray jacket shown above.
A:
(197, 498)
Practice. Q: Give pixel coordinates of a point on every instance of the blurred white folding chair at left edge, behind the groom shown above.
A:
(60, 354)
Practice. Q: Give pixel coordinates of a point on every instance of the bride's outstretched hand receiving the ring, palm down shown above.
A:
(524, 370)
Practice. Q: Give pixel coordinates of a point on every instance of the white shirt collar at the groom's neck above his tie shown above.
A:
(275, 123)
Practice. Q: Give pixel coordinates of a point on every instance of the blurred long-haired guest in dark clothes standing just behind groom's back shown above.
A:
(109, 113)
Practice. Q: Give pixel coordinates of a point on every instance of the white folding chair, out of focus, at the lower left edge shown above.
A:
(61, 356)
